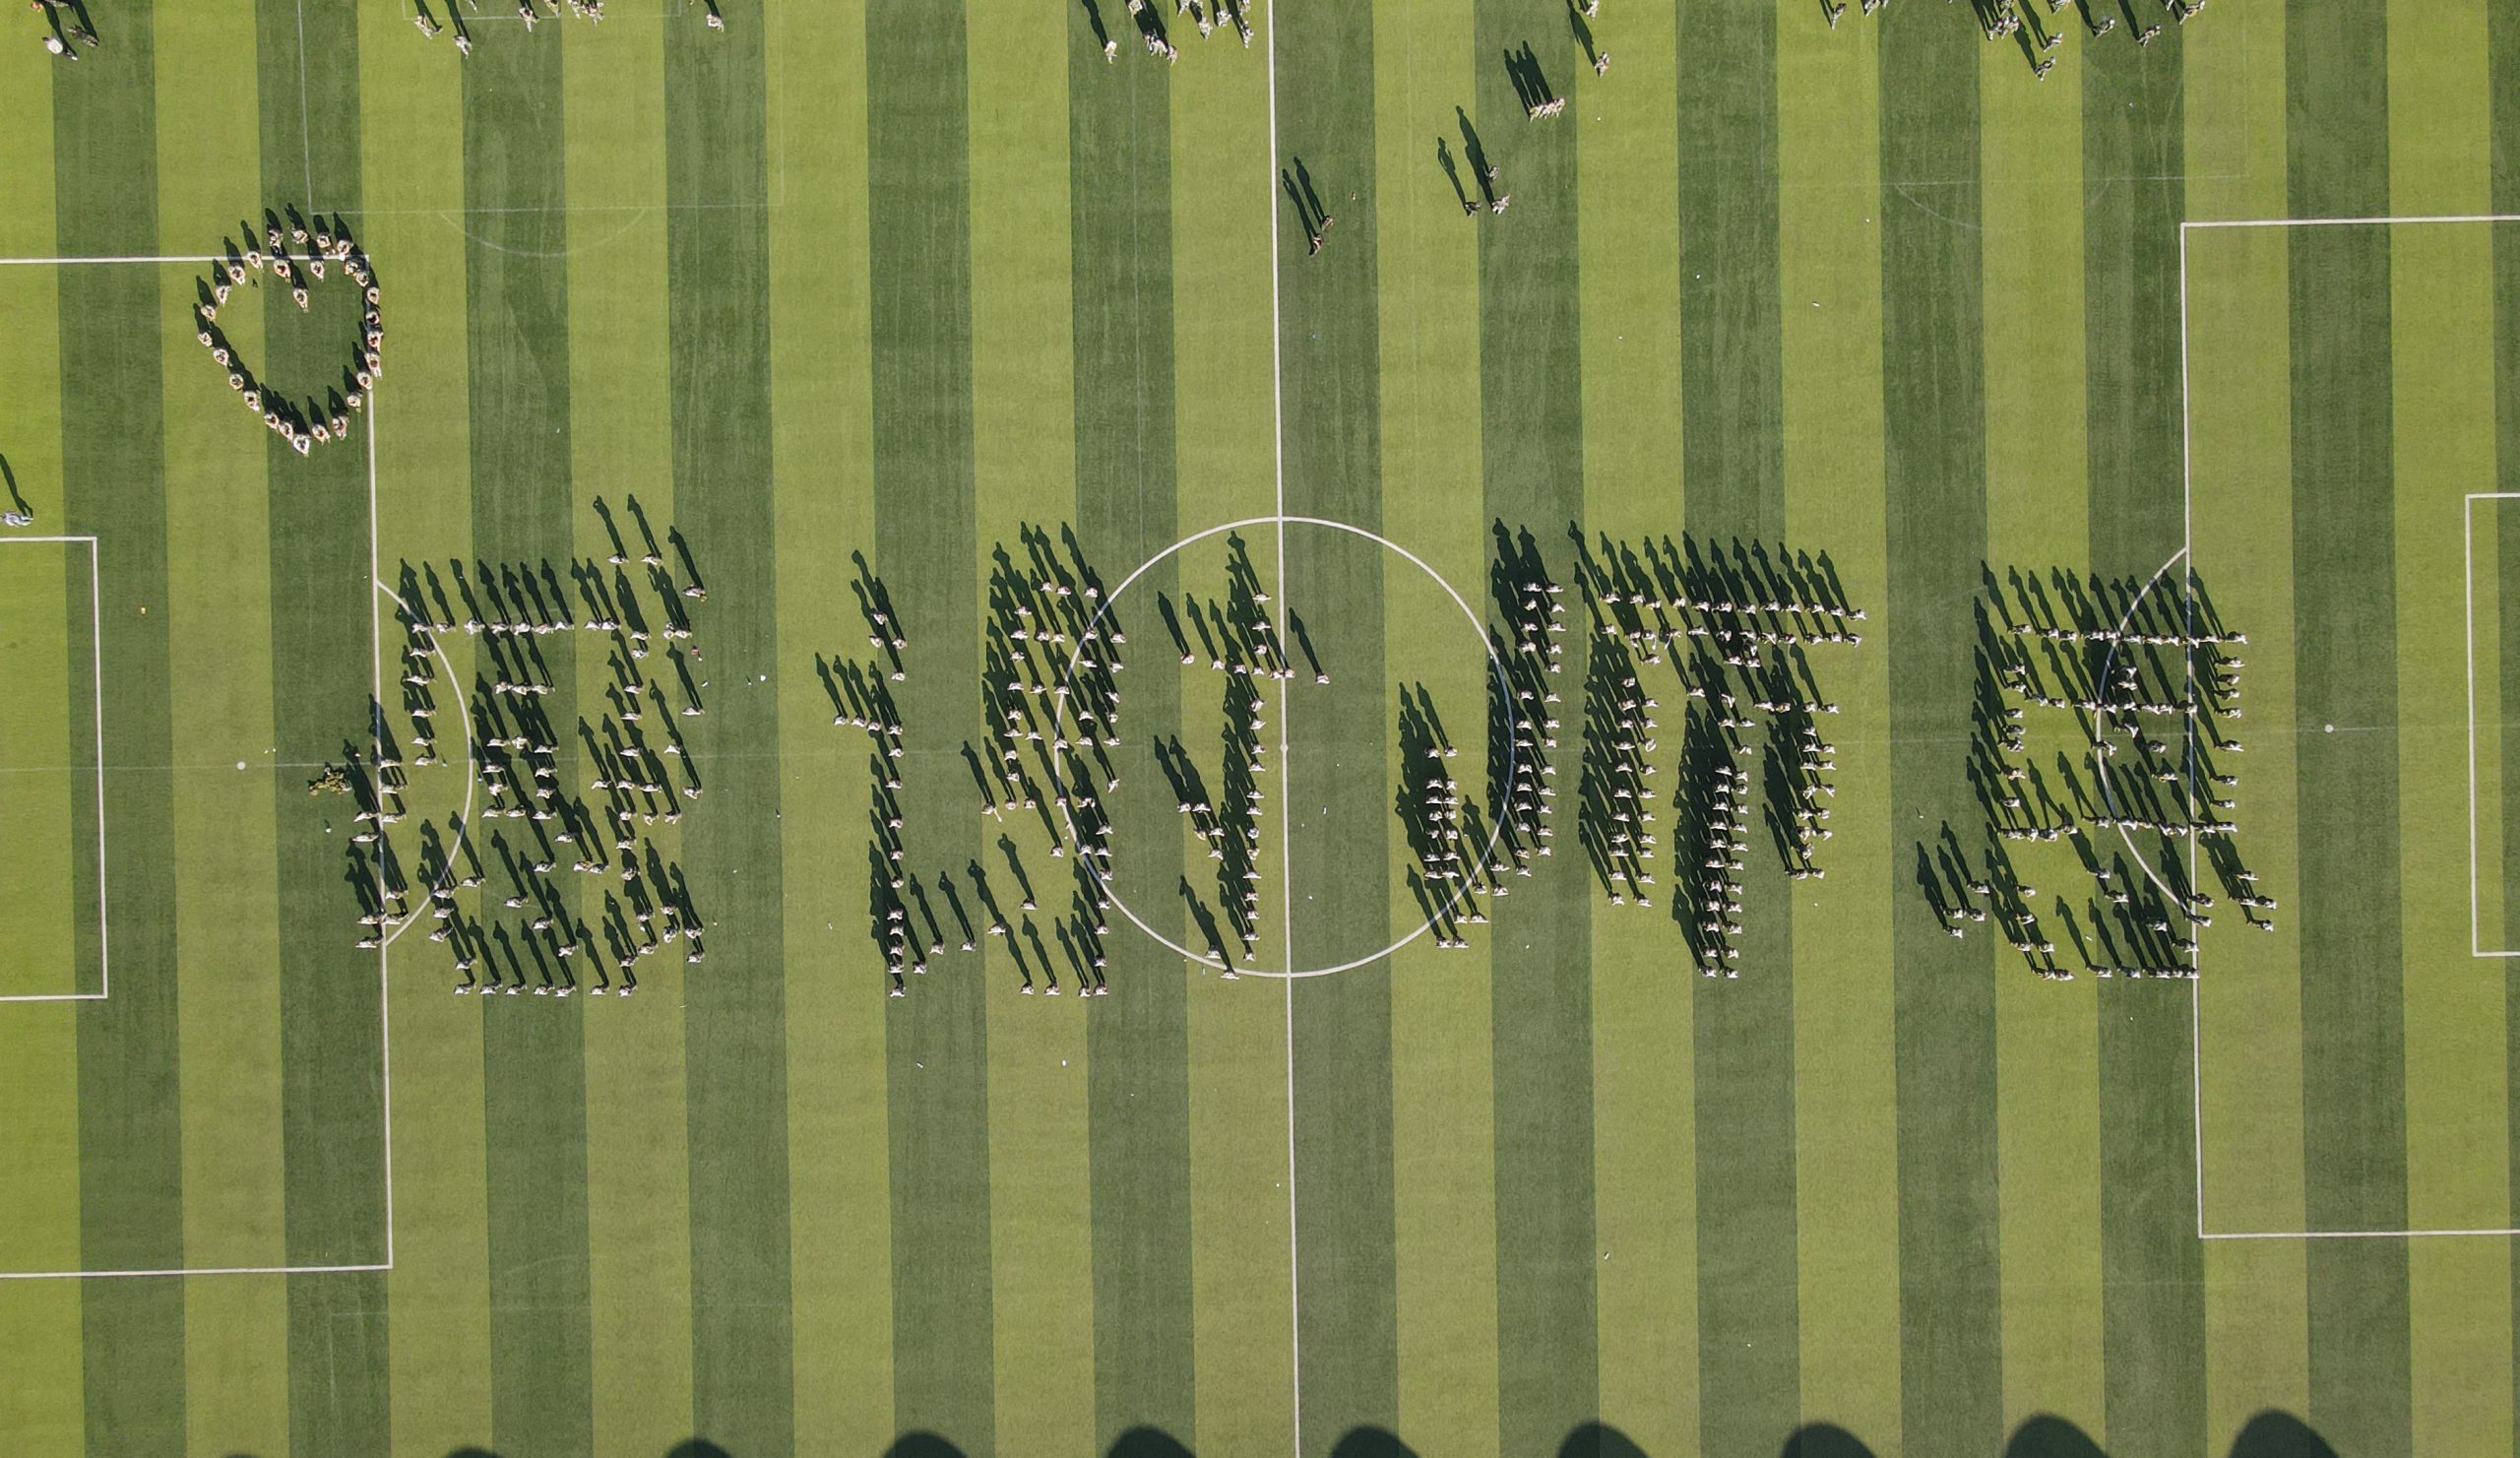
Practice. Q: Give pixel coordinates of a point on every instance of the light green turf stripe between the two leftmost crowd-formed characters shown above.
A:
(840, 1212)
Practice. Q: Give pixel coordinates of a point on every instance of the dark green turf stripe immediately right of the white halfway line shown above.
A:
(1334, 787)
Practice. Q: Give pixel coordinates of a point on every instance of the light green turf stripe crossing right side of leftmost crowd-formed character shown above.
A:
(639, 1202)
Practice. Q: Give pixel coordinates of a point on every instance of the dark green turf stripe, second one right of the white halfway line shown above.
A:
(1531, 429)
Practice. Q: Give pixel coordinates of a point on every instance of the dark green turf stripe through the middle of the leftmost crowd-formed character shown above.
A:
(533, 1049)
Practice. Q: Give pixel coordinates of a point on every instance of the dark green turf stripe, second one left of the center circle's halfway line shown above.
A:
(929, 558)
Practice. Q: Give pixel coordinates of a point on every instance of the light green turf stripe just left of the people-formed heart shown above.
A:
(218, 601)
